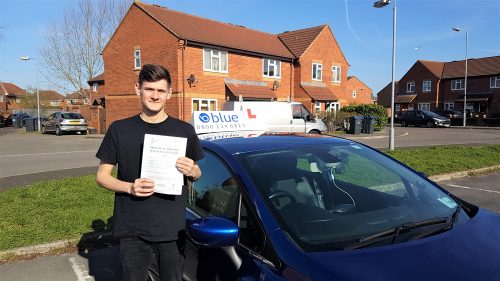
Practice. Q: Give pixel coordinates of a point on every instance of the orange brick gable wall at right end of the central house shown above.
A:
(324, 50)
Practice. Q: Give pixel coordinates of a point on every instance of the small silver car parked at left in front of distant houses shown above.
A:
(65, 122)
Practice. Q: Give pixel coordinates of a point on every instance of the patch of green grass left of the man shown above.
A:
(53, 210)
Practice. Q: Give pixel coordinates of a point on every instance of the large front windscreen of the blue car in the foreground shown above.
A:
(327, 196)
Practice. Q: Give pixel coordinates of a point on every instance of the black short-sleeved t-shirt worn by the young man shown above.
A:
(159, 217)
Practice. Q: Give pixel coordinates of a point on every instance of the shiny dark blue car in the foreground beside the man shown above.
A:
(312, 207)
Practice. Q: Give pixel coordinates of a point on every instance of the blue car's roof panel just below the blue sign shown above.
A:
(268, 141)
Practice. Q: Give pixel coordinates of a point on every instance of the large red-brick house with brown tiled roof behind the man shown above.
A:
(211, 62)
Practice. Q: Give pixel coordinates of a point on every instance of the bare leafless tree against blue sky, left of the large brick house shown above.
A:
(71, 52)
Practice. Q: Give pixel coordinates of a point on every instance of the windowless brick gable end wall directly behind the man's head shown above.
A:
(157, 45)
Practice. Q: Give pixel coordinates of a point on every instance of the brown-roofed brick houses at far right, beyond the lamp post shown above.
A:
(430, 85)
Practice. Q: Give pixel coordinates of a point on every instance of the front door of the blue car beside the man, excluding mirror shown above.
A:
(217, 193)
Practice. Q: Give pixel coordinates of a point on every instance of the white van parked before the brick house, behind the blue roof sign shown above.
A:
(279, 116)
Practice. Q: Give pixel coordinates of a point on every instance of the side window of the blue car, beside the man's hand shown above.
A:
(216, 192)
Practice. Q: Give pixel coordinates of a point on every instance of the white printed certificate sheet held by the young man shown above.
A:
(159, 155)
